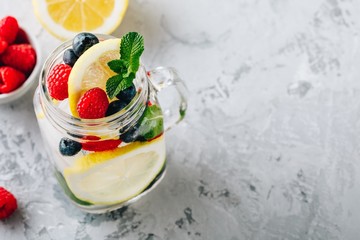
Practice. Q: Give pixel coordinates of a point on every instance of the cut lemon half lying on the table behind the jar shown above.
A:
(65, 18)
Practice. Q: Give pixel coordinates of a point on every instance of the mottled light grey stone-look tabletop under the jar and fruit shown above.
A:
(270, 146)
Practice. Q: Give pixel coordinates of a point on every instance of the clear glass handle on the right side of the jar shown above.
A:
(173, 101)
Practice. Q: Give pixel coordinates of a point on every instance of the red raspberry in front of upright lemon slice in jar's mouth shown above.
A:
(93, 104)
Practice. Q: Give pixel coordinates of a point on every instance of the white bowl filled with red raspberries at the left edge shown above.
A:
(19, 60)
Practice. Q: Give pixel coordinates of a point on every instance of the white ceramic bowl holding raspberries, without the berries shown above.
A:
(8, 97)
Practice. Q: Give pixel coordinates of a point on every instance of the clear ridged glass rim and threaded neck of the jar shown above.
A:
(79, 127)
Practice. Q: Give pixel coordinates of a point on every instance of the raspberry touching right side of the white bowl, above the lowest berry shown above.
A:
(19, 56)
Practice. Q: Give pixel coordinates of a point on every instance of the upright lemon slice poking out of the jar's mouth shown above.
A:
(91, 70)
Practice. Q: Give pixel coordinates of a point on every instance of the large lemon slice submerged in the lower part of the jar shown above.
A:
(116, 176)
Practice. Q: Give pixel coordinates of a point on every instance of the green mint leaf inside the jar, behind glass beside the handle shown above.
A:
(151, 123)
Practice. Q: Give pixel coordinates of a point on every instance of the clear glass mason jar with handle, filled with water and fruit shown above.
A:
(98, 180)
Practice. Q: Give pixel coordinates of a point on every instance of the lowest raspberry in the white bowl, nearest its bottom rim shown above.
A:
(10, 79)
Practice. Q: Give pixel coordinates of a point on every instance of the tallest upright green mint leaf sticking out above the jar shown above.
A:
(131, 48)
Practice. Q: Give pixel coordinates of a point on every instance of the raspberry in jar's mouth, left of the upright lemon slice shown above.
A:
(57, 81)
